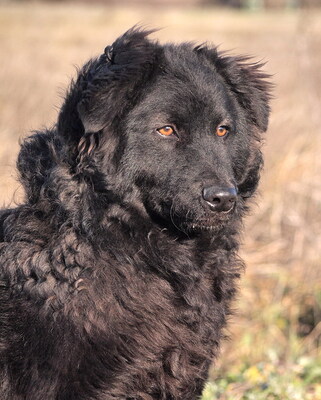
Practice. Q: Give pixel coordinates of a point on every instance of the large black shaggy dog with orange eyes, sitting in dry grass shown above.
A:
(118, 270)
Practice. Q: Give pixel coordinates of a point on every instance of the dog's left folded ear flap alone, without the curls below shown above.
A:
(112, 82)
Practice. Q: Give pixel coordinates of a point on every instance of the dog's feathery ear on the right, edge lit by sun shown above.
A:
(251, 86)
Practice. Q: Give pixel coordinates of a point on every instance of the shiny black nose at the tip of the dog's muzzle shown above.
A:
(219, 198)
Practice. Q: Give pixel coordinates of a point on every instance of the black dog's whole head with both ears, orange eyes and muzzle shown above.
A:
(179, 126)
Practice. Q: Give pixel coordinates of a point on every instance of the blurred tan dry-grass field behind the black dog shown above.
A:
(274, 346)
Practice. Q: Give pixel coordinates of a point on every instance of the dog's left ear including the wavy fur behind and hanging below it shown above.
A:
(105, 88)
